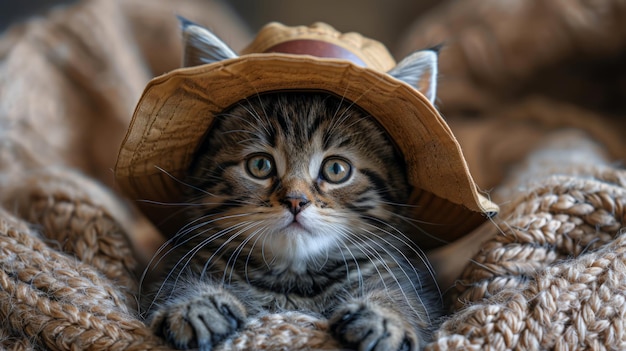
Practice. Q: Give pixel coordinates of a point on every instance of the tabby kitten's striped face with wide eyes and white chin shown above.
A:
(297, 176)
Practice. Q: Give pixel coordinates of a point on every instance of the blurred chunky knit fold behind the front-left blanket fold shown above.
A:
(74, 214)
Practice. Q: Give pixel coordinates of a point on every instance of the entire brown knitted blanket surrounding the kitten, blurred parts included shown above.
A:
(548, 273)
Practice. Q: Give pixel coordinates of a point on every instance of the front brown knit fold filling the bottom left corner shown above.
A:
(56, 302)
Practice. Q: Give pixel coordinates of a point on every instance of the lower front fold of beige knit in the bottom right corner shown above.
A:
(570, 306)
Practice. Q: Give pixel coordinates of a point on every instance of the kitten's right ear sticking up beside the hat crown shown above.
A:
(419, 70)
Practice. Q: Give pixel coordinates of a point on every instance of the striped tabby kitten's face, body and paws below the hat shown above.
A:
(296, 202)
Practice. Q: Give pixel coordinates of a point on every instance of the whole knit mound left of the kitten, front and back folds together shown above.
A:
(66, 277)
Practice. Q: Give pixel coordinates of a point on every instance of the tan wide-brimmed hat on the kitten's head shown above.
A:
(177, 108)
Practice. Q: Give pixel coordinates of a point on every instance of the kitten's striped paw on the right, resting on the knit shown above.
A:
(367, 327)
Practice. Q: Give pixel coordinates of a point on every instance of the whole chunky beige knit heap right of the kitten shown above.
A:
(555, 276)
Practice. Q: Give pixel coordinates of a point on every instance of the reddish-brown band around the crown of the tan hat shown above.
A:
(318, 48)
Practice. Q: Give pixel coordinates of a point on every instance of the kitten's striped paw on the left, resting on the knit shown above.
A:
(199, 321)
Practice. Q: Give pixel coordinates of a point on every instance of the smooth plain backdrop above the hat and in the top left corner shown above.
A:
(383, 20)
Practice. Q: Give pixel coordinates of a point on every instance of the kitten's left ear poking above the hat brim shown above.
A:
(200, 46)
